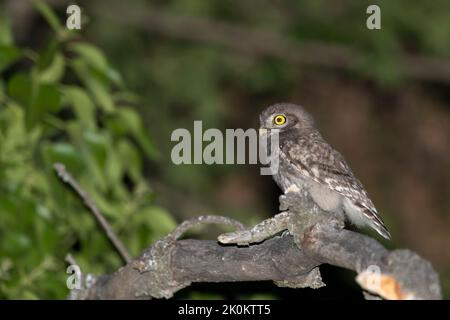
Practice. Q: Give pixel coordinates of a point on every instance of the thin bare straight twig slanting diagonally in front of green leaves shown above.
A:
(67, 178)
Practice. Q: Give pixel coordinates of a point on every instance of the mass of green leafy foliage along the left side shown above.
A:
(67, 104)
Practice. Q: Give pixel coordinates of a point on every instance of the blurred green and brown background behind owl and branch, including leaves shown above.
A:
(104, 100)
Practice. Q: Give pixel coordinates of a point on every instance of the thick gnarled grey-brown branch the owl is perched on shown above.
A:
(291, 261)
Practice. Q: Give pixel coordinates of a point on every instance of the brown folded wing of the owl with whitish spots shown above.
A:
(317, 160)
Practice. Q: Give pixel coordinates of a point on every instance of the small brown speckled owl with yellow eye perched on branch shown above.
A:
(308, 163)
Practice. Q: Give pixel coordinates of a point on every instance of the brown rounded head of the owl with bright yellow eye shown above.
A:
(285, 116)
